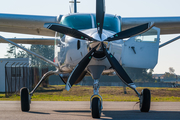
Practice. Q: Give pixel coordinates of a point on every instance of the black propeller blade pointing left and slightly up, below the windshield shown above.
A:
(68, 31)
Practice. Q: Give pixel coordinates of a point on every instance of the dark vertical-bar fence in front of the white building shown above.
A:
(18, 75)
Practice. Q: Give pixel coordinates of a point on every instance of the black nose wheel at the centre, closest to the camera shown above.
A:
(96, 107)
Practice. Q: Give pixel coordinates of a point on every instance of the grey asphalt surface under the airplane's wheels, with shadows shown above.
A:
(77, 110)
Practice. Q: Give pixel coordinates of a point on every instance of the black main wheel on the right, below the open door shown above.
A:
(145, 100)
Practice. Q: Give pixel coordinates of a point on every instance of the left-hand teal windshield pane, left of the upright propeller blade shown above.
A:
(79, 21)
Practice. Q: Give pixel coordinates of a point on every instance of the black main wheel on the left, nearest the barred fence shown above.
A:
(25, 101)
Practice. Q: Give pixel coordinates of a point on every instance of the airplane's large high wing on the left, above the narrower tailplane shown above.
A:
(27, 24)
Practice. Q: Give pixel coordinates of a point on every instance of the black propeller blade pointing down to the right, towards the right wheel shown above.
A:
(118, 68)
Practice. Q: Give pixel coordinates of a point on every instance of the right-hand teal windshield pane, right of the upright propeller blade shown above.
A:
(110, 23)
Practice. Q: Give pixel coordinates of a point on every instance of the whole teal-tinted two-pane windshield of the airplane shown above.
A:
(84, 21)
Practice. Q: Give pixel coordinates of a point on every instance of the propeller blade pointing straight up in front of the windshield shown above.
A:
(100, 11)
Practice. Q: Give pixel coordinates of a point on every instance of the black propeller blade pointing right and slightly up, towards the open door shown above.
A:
(131, 32)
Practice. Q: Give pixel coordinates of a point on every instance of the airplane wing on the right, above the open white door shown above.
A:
(168, 25)
